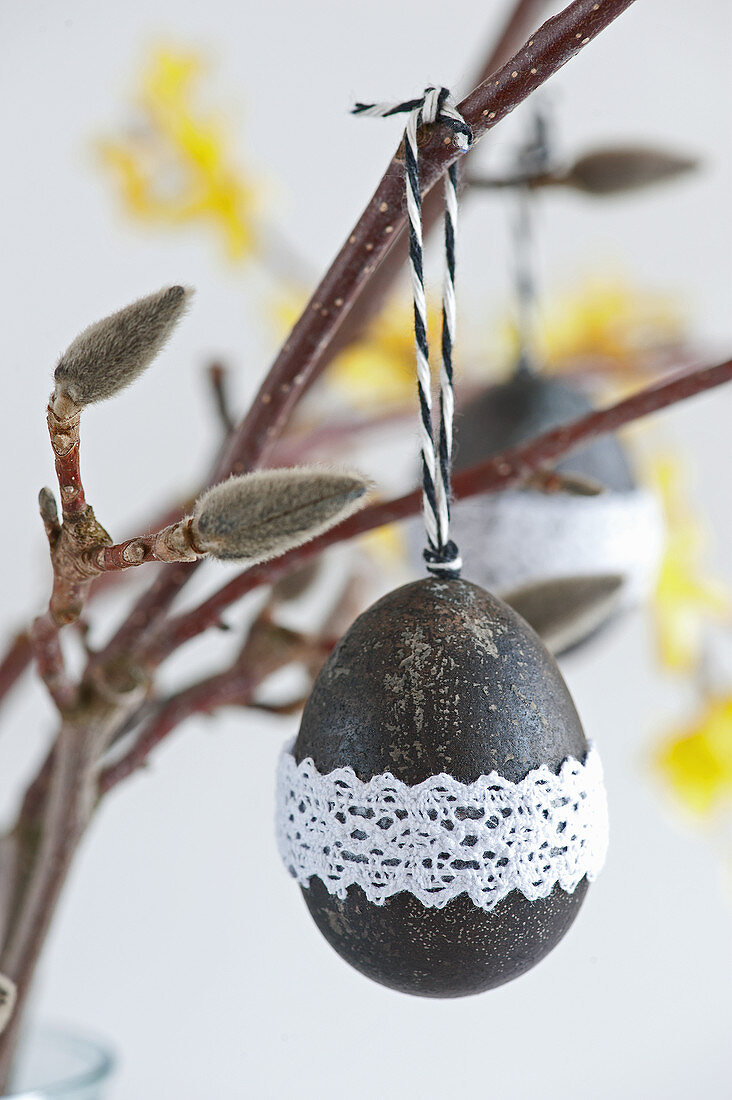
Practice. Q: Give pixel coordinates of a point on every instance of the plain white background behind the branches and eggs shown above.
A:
(180, 937)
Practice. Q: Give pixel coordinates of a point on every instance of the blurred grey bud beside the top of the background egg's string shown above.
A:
(617, 171)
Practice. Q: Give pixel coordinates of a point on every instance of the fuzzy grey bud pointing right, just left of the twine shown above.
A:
(265, 514)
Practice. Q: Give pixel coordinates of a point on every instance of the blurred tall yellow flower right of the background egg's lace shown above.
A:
(685, 599)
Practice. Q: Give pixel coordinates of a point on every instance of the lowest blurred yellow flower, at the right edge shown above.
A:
(696, 761)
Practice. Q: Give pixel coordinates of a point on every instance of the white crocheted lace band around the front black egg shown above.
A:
(442, 839)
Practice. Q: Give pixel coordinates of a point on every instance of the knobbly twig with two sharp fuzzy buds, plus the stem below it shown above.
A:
(249, 519)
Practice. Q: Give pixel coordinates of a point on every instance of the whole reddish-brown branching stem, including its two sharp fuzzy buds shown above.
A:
(274, 521)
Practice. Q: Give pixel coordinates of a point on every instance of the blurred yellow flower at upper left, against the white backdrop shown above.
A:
(180, 168)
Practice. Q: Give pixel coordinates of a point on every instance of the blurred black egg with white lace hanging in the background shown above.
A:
(520, 537)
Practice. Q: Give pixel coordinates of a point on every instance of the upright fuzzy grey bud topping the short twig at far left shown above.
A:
(112, 354)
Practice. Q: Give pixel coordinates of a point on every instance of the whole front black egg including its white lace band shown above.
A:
(435, 687)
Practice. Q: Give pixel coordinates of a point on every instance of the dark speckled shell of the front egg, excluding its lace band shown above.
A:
(441, 677)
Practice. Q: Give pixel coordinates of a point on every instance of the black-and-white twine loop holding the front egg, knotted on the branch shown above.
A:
(442, 555)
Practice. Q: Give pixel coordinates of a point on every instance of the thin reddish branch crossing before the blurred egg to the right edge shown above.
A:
(512, 468)
